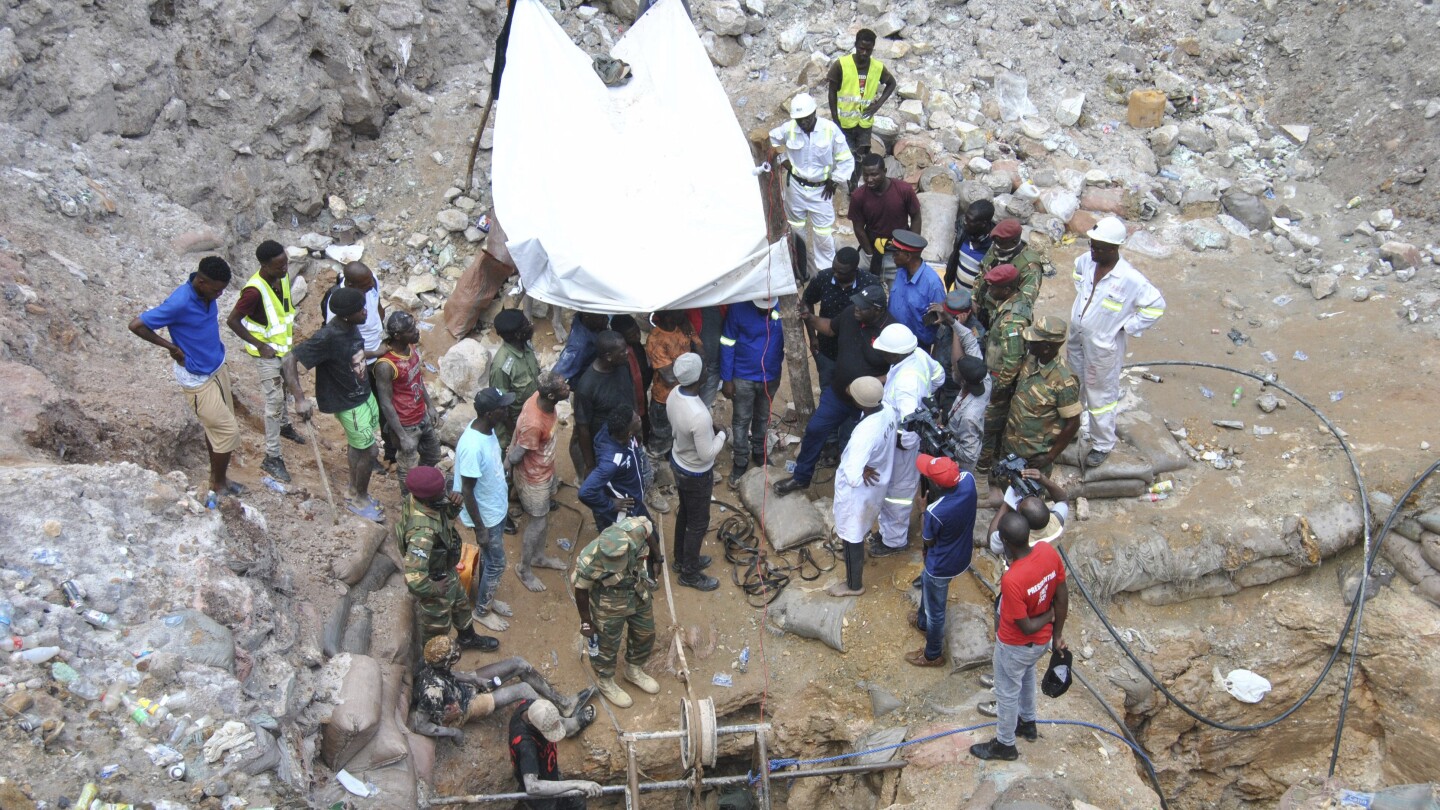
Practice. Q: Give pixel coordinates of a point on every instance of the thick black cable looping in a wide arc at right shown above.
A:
(1350, 619)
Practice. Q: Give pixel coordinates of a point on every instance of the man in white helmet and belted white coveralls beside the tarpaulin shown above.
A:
(814, 153)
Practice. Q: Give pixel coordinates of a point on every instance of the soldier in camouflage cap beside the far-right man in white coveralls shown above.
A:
(1045, 413)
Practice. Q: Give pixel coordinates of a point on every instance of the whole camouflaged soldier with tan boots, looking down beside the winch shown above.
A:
(614, 579)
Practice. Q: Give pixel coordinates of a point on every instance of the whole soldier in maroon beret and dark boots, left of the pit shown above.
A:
(433, 550)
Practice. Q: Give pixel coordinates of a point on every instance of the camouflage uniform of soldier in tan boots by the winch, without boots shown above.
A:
(613, 570)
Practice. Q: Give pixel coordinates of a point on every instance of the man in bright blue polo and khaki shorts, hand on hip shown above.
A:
(192, 319)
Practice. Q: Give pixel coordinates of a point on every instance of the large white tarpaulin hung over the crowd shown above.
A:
(636, 198)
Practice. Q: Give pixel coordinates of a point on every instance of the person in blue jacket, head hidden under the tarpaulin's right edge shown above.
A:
(752, 350)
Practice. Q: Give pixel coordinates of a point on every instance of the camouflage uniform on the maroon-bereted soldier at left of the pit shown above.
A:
(433, 550)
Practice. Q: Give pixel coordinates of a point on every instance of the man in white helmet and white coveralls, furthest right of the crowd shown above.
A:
(1114, 301)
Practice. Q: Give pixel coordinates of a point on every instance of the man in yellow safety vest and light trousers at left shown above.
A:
(266, 321)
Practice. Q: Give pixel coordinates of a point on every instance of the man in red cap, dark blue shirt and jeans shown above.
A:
(950, 544)
